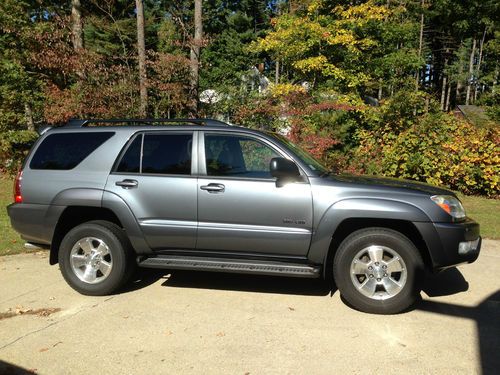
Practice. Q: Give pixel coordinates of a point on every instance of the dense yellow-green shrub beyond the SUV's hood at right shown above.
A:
(437, 149)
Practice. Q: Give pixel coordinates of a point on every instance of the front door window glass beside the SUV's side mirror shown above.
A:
(228, 155)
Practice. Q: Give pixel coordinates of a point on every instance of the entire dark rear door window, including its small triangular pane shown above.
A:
(161, 154)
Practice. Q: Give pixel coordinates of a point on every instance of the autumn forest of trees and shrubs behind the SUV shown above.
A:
(401, 88)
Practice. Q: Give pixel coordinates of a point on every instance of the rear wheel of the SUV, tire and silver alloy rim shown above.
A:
(96, 258)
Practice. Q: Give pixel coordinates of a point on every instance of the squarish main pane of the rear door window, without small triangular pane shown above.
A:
(167, 153)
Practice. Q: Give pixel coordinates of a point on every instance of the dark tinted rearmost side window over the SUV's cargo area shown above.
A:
(66, 150)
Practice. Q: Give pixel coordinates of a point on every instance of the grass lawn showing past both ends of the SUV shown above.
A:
(483, 210)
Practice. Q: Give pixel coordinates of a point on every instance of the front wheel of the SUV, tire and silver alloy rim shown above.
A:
(378, 270)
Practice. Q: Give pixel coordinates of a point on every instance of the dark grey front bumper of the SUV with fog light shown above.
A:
(451, 244)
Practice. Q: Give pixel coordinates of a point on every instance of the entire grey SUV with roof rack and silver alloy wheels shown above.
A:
(203, 195)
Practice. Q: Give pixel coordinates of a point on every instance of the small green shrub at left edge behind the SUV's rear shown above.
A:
(14, 146)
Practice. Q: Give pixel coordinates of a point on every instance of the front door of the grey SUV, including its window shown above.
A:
(240, 208)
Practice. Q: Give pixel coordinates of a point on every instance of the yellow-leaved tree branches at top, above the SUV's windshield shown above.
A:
(322, 44)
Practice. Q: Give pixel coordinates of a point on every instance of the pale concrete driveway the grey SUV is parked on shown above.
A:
(189, 322)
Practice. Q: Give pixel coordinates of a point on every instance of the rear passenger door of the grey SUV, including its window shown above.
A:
(155, 177)
